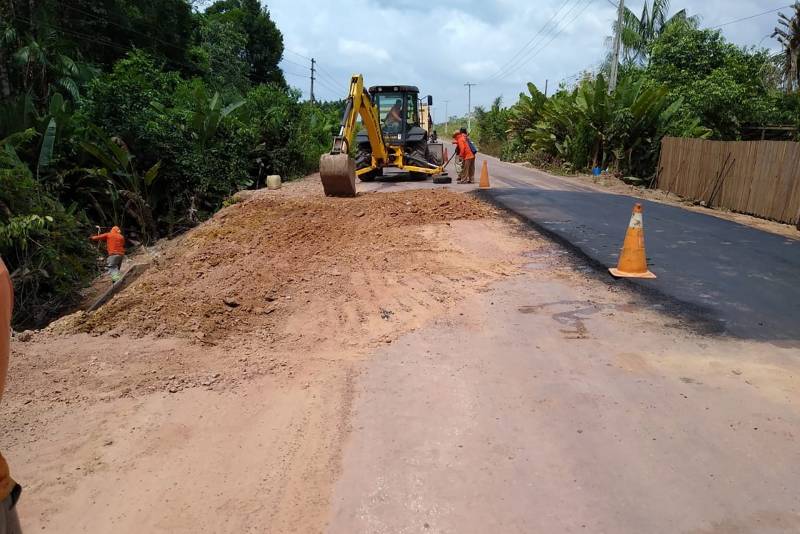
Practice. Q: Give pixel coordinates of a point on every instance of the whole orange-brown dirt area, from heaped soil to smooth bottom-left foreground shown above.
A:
(237, 350)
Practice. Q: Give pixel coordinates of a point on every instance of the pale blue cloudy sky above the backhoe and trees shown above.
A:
(441, 45)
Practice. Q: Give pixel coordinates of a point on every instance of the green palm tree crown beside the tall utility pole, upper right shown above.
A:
(638, 33)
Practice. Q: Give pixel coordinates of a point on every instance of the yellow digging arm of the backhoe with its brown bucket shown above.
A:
(337, 169)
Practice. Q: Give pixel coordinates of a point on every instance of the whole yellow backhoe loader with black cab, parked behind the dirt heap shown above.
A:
(391, 138)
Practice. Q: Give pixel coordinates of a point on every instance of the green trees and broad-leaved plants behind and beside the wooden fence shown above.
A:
(676, 79)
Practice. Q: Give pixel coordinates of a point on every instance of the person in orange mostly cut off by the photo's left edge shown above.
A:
(9, 490)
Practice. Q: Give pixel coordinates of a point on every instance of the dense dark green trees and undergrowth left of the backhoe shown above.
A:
(143, 115)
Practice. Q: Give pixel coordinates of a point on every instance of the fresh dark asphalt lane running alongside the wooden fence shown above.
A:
(737, 280)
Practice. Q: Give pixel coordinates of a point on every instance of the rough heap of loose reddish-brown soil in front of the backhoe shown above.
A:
(260, 260)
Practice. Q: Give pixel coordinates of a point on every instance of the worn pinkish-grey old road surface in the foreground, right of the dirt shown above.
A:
(550, 405)
